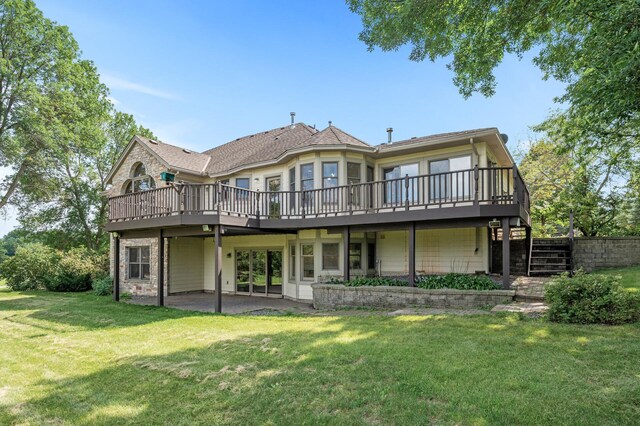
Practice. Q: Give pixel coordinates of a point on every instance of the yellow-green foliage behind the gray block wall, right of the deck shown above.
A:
(562, 181)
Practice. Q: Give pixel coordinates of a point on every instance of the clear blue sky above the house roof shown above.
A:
(200, 73)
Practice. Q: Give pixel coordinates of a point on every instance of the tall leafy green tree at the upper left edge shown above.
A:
(47, 96)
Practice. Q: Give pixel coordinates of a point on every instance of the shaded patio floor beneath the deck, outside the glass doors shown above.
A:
(231, 304)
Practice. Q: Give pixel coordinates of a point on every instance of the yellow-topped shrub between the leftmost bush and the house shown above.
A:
(77, 269)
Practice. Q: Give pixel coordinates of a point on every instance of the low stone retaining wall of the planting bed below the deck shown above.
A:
(330, 296)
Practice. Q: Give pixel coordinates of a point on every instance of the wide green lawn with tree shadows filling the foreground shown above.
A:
(83, 359)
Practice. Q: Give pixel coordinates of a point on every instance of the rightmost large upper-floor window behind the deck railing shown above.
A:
(450, 179)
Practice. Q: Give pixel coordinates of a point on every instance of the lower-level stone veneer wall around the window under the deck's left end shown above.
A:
(142, 287)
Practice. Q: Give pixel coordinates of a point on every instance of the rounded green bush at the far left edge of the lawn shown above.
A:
(31, 267)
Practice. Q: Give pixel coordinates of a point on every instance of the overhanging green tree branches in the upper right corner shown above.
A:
(591, 45)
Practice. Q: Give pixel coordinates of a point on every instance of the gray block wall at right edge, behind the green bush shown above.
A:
(592, 253)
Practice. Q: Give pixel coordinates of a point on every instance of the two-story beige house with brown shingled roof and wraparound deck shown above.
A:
(271, 213)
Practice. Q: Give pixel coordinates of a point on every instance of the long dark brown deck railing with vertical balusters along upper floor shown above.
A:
(502, 185)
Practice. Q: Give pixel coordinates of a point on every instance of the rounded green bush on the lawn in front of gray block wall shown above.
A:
(591, 299)
